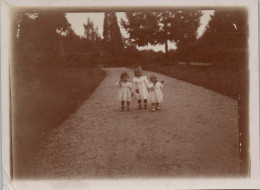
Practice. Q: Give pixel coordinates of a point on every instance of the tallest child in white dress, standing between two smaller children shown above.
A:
(141, 84)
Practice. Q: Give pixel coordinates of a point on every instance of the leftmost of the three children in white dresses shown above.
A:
(125, 91)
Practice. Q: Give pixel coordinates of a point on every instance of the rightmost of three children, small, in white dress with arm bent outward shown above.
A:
(155, 96)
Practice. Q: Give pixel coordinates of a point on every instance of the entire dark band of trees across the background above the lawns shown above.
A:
(47, 37)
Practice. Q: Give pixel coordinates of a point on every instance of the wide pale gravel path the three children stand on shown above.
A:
(195, 134)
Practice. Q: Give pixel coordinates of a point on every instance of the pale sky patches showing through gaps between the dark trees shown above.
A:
(78, 19)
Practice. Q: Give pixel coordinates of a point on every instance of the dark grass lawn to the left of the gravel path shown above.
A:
(42, 98)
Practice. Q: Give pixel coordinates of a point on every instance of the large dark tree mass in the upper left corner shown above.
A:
(40, 35)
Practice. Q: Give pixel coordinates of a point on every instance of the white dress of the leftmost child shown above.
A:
(124, 91)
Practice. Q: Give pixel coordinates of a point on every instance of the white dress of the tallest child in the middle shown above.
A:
(141, 83)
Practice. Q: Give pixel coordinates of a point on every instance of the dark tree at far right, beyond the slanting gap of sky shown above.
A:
(226, 36)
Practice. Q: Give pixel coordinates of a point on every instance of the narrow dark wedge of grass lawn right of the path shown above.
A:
(230, 82)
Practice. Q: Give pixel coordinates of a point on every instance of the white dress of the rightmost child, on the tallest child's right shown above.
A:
(156, 95)
